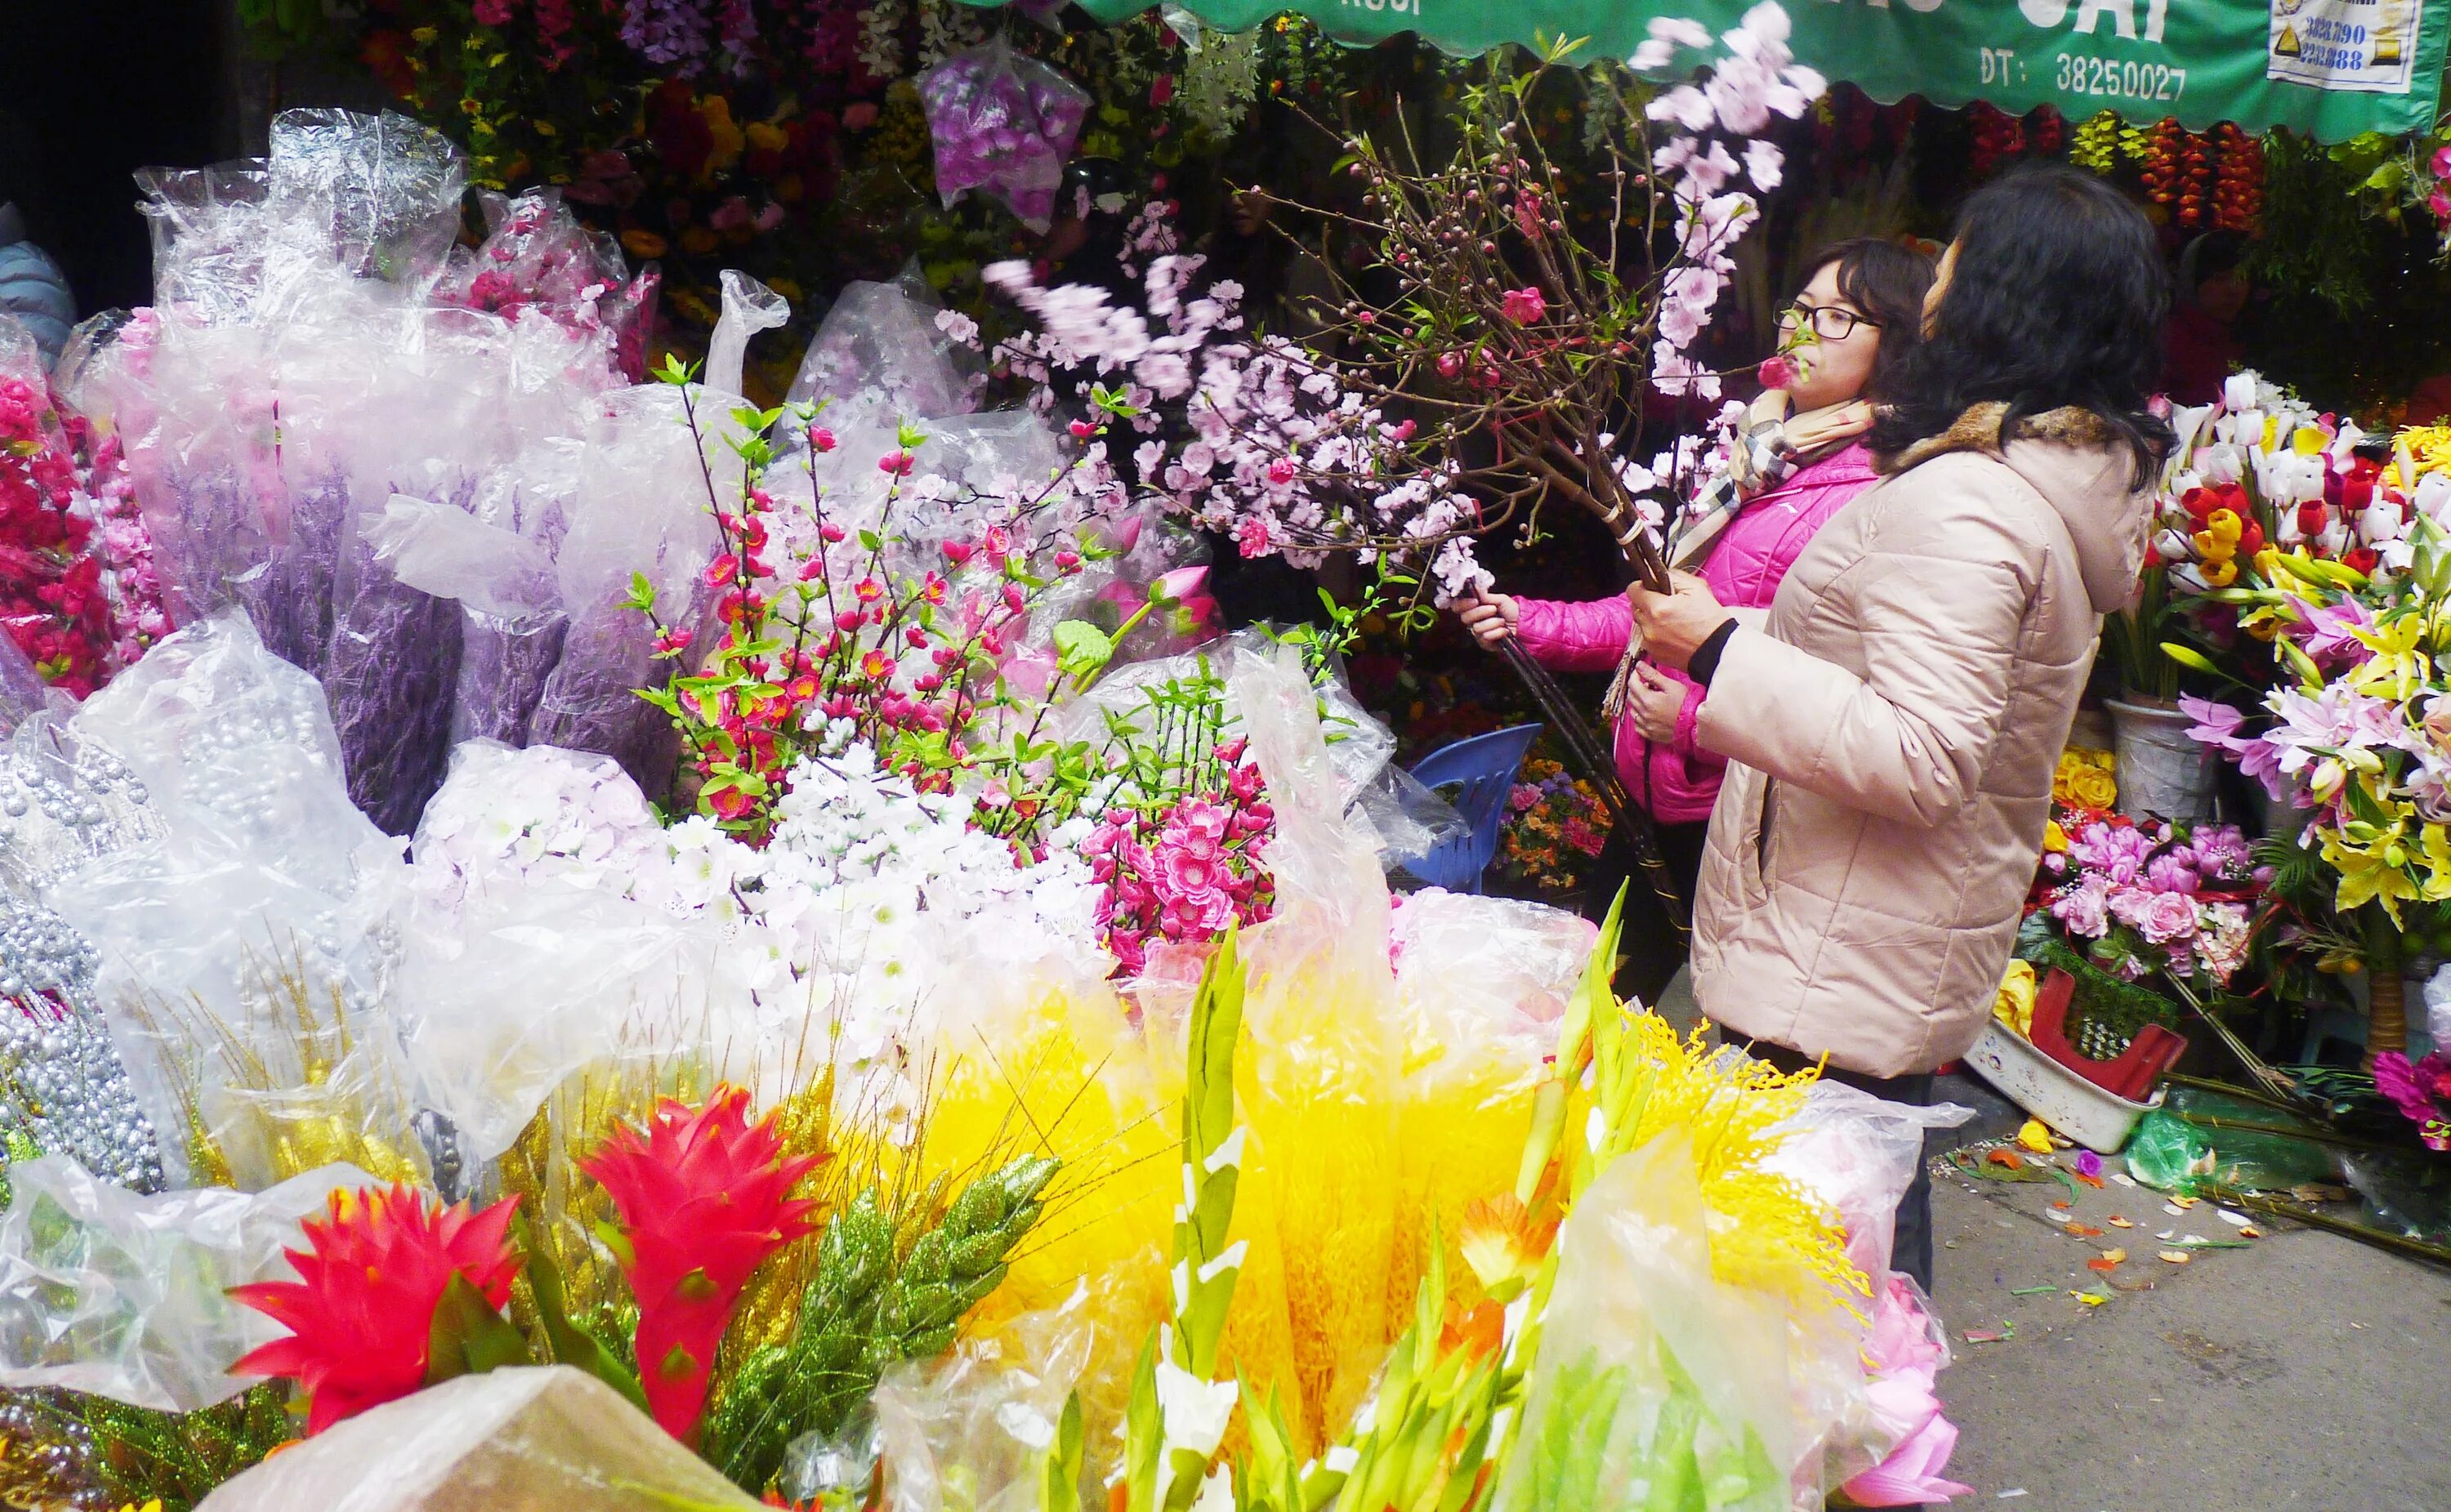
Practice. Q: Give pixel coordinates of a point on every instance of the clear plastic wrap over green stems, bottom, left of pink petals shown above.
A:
(1656, 1388)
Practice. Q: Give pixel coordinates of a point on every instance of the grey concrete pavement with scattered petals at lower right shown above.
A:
(2308, 1371)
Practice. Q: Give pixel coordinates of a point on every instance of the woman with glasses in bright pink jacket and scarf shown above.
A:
(1798, 462)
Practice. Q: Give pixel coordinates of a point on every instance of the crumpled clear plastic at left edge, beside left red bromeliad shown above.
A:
(129, 1295)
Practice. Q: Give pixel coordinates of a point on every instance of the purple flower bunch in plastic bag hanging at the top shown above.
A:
(1004, 124)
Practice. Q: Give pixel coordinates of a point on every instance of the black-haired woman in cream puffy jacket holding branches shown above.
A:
(1891, 724)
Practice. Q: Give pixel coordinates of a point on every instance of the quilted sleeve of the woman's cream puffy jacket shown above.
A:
(1888, 692)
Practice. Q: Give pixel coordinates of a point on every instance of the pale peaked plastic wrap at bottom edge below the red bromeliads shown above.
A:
(518, 1440)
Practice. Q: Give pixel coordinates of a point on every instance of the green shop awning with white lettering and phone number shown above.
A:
(2325, 67)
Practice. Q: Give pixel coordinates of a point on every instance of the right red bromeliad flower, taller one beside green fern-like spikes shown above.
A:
(702, 1204)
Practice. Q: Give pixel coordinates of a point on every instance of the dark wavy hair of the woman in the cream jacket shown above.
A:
(2058, 298)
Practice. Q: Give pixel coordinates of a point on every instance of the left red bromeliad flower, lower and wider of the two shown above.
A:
(364, 1305)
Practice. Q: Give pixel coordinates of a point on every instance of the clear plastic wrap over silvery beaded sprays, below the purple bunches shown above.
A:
(244, 947)
